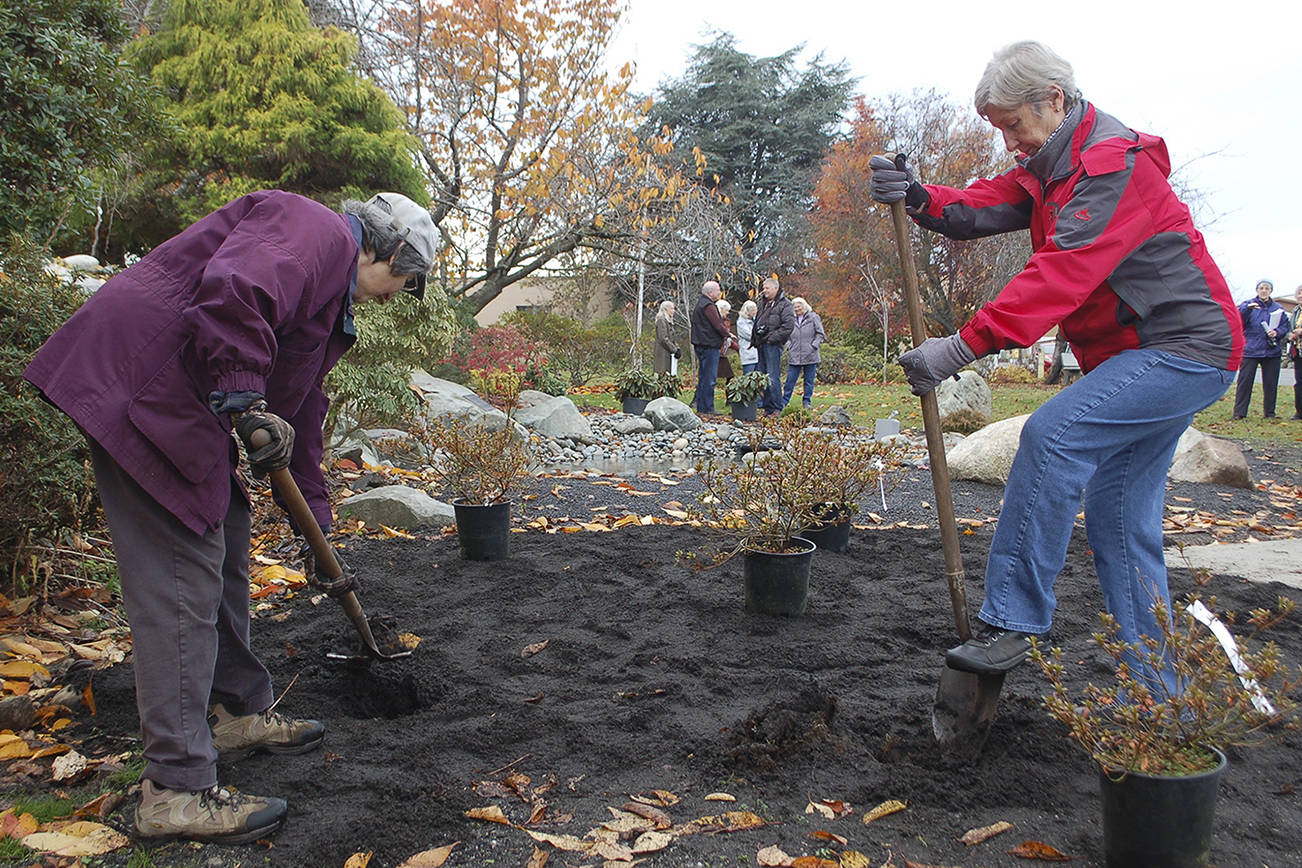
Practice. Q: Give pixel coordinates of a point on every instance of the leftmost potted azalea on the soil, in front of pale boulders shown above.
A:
(482, 463)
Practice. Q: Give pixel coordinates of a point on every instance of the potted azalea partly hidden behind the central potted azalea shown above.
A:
(851, 467)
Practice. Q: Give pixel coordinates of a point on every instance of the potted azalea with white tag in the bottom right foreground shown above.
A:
(1161, 749)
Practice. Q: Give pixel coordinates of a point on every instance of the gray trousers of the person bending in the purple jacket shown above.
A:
(187, 597)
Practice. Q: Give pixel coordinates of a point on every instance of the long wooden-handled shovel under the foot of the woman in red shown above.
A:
(967, 703)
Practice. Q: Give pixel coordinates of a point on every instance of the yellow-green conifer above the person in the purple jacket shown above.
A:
(262, 100)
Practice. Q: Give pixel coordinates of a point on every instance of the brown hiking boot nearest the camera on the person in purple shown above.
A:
(217, 815)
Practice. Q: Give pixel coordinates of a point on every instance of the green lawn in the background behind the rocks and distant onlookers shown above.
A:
(876, 401)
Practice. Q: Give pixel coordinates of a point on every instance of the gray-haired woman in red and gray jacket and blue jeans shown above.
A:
(1120, 269)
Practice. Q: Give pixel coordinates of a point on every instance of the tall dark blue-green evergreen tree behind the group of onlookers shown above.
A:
(764, 126)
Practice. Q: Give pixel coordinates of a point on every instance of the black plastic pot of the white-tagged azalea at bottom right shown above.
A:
(1156, 821)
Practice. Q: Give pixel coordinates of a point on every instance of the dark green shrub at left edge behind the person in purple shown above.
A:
(46, 482)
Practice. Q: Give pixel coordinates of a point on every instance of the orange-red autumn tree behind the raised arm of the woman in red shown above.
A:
(856, 274)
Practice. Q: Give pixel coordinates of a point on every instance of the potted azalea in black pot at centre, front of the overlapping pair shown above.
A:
(757, 507)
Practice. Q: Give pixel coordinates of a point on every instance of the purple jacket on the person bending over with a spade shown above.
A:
(251, 299)
